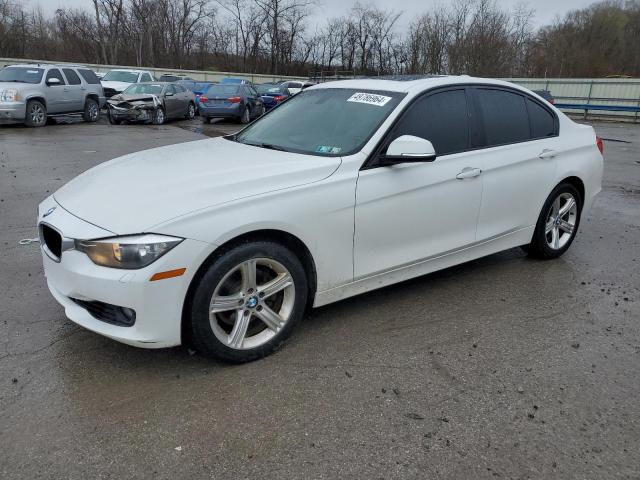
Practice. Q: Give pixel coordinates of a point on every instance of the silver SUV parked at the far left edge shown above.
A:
(31, 93)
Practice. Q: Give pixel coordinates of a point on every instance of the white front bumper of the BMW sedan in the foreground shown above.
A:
(157, 305)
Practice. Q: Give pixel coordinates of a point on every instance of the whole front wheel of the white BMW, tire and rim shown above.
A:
(247, 302)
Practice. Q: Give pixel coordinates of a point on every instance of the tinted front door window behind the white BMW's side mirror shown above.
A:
(442, 118)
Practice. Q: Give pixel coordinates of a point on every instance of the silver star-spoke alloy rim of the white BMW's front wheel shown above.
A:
(252, 303)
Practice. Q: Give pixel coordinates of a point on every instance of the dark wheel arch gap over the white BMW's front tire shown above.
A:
(284, 238)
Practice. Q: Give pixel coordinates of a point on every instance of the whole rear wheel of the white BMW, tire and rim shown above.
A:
(557, 224)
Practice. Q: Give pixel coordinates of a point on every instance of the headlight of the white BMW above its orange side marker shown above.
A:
(129, 252)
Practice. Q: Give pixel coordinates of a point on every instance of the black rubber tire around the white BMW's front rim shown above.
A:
(199, 328)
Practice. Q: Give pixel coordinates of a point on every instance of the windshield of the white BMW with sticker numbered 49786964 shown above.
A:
(328, 121)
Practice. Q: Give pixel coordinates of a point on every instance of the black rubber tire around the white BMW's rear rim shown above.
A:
(539, 246)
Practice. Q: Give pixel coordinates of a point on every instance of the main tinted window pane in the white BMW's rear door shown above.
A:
(504, 116)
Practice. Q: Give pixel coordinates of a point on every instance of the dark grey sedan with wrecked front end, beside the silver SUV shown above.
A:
(153, 102)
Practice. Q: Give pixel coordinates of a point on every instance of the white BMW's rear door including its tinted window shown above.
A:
(519, 157)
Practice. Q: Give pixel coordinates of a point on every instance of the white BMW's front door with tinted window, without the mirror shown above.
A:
(415, 211)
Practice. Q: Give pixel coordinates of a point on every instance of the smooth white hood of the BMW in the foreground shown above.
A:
(134, 193)
